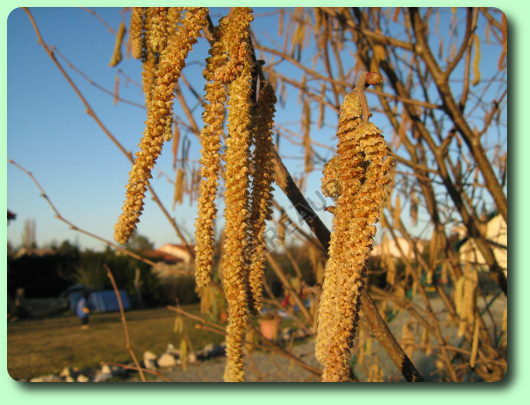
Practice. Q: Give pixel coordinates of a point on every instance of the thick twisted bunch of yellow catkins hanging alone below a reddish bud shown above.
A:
(358, 178)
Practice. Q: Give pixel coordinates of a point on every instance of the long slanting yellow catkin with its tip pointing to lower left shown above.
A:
(168, 73)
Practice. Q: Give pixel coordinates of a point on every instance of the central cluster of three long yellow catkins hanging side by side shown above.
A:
(232, 86)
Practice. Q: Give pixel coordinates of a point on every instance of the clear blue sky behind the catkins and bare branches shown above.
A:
(81, 170)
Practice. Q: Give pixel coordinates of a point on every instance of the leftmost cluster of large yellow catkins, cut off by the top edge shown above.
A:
(162, 37)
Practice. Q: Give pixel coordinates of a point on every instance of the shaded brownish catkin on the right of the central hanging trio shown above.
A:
(261, 195)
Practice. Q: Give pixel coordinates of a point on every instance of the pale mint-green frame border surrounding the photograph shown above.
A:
(510, 390)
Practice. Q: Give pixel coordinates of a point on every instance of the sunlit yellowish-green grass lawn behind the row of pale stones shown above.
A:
(46, 346)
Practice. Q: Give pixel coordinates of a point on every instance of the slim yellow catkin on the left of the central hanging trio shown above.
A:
(210, 137)
